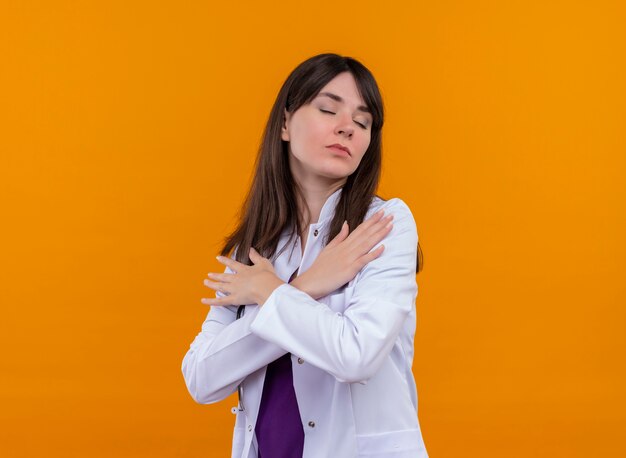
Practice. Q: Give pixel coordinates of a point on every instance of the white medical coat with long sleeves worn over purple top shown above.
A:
(352, 350)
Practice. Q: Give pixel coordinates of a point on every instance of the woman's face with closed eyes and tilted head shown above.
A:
(328, 136)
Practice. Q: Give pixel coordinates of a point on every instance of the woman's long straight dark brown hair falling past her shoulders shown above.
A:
(271, 203)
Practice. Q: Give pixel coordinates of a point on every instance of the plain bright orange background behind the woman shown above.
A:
(128, 134)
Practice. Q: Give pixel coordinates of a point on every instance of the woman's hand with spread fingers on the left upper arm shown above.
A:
(247, 285)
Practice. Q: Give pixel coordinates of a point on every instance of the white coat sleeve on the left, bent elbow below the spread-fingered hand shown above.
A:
(224, 353)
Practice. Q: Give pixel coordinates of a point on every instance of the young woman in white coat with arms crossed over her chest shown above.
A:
(313, 322)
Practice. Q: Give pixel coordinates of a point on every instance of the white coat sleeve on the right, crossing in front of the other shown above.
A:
(351, 346)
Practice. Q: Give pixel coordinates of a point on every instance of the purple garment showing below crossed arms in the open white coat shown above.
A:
(279, 429)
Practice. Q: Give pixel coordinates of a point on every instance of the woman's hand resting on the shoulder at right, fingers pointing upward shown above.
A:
(344, 256)
